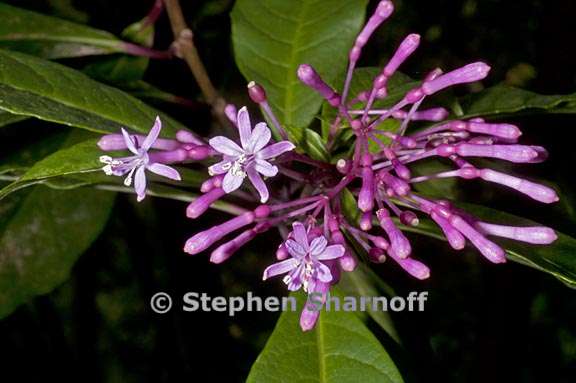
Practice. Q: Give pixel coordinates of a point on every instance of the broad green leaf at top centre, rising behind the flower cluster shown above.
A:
(273, 37)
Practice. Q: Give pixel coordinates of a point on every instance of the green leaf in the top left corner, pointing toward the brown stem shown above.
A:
(50, 37)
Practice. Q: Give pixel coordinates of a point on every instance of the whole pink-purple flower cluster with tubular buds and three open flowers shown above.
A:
(305, 204)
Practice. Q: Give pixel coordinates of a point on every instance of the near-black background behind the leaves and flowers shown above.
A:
(483, 322)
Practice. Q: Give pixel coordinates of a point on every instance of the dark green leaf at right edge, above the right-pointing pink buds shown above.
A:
(504, 100)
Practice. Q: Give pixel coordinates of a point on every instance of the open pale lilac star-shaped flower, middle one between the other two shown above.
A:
(249, 159)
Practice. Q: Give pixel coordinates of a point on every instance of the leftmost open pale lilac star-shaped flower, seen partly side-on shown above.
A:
(134, 166)
